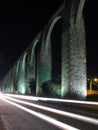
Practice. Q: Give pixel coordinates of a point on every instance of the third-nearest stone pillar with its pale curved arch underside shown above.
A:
(32, 66)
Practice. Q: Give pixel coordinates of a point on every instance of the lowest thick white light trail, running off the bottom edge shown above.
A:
(43, 117)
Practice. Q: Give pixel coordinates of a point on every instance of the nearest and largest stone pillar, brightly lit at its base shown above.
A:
(73, 51)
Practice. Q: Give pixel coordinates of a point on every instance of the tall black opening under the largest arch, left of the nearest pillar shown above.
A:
(56, 46)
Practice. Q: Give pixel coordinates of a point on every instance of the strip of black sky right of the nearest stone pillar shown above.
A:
(91, 25)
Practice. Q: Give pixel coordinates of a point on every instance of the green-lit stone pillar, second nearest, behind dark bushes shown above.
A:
(43, 64)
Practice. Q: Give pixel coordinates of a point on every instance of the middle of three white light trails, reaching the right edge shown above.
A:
(60, 112)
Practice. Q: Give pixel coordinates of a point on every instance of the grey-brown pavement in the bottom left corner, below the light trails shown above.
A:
(13, 118)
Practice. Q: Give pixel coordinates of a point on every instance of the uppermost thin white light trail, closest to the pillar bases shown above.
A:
(52, 99)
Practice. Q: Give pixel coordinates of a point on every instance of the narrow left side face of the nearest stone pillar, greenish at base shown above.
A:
(65, 50)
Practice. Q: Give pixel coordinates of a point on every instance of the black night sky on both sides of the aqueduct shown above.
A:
(21, 21)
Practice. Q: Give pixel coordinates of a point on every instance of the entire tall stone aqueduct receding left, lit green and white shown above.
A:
(57, 51)
